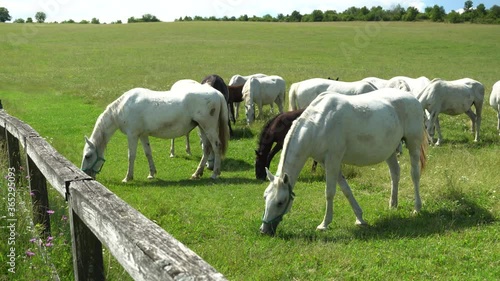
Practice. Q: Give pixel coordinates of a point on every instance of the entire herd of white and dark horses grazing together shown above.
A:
(333, 122)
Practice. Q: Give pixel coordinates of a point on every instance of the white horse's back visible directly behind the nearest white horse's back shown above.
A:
(302, 93)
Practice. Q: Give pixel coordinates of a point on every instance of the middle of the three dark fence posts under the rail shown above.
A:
(39, 196)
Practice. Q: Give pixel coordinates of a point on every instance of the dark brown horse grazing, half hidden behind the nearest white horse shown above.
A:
(274, 131)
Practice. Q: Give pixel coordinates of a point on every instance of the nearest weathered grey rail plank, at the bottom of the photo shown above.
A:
(143, 248)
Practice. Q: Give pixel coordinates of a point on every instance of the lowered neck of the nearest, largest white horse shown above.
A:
(295, 152)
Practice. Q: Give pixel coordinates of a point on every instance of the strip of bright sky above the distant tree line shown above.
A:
(112, 10)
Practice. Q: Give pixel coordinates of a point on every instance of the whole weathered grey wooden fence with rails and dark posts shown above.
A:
(97, 216)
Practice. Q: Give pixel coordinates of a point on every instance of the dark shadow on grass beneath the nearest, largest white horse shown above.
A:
(465, 213)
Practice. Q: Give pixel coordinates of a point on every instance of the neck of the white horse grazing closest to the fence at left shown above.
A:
(104, 129)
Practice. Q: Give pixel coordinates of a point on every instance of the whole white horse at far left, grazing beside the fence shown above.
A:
(140, 113)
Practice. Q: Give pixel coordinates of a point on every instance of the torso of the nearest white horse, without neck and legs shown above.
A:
(365, 129)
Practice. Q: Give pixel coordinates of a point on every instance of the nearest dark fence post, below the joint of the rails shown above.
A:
(88, 263)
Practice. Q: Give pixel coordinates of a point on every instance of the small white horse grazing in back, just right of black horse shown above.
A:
(263, 91)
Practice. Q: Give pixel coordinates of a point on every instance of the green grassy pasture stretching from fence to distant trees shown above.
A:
(59, 78)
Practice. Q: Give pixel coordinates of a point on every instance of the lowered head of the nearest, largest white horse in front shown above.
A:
(279, 198)
